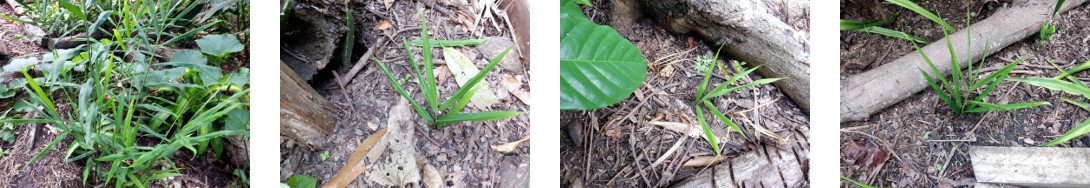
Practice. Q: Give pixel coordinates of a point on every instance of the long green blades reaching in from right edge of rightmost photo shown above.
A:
(1073, 86)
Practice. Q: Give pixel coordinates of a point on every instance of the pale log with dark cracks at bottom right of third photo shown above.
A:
(767, 167)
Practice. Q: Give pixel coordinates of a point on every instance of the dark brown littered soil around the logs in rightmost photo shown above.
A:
(922, 132)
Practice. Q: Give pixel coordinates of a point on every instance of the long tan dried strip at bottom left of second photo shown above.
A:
(356, 163)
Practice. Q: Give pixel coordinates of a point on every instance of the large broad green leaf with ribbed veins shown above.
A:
(598, 66)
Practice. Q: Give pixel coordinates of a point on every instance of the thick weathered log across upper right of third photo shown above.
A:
(749, 31)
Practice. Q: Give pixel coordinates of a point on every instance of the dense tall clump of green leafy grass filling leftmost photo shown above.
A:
(125, 112)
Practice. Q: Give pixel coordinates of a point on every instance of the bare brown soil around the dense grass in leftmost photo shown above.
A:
(53, 170)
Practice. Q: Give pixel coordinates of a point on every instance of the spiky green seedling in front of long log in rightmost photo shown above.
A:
(959, 89)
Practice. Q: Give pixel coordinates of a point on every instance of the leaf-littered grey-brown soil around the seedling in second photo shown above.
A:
(461, 149)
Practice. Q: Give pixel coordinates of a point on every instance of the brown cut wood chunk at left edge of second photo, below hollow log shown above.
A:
(305, 115)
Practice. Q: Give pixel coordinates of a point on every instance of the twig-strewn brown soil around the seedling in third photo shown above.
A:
(619, 146)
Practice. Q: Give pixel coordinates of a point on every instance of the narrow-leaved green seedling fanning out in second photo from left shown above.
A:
(434, 113)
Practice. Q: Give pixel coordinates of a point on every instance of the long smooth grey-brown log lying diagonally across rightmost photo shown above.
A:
(867, 93)
